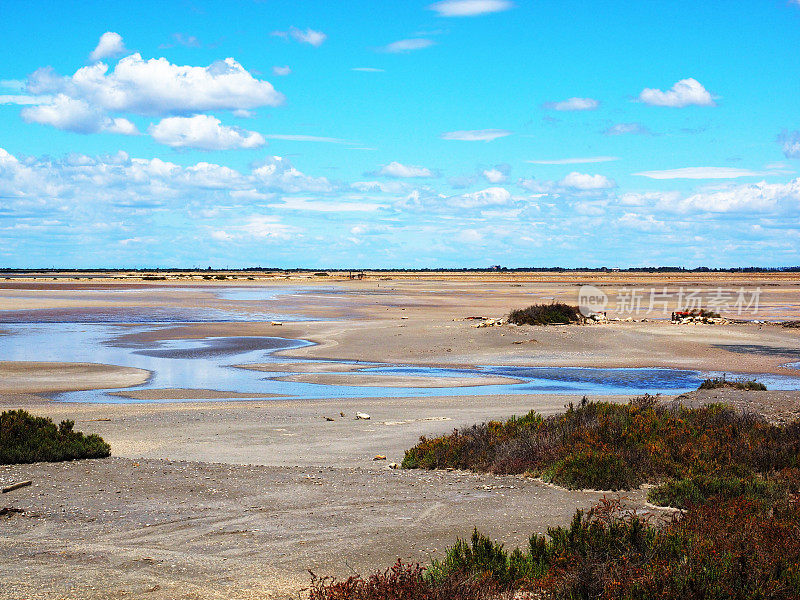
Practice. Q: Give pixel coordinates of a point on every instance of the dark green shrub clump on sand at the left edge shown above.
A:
(25, 438)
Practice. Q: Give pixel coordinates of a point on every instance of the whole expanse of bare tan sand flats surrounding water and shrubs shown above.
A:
(236, 499)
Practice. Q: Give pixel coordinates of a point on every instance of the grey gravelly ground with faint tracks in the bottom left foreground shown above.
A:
(224, 531)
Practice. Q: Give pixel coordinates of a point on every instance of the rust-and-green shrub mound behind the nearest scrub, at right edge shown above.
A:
(618, 446)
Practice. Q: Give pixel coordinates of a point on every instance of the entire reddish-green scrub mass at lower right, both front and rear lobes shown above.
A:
(734, 475)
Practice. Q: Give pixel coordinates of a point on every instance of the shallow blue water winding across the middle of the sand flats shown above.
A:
(207, 364)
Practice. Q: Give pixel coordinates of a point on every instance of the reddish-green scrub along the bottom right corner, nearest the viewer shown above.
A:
(721, 549)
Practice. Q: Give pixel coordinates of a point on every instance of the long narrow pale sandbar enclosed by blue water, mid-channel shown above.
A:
(386, 380)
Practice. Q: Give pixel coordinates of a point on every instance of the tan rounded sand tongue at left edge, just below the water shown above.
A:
(43, 377)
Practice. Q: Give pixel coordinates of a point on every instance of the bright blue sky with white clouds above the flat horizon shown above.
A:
(410, 134)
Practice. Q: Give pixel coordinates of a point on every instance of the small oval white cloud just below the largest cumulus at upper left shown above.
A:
(203, 132)
